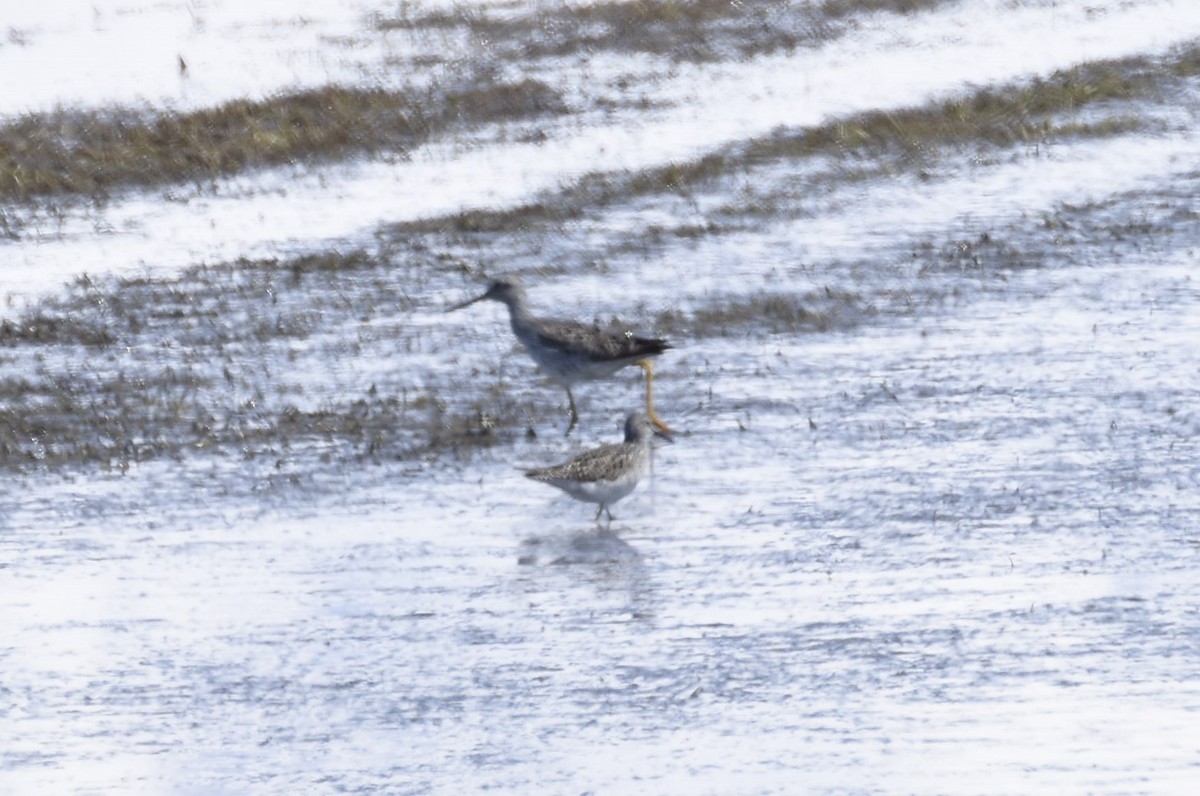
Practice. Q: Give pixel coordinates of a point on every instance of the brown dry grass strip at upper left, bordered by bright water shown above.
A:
(94, 153)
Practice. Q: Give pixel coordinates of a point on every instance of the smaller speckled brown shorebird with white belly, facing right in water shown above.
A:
(608, 474)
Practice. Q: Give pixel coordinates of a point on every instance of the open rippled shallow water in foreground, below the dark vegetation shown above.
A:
(976, 571)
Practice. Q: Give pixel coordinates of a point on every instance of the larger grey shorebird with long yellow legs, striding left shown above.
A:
(572, 352)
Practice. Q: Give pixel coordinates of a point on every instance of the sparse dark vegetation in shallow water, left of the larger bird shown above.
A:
(215, 360)
